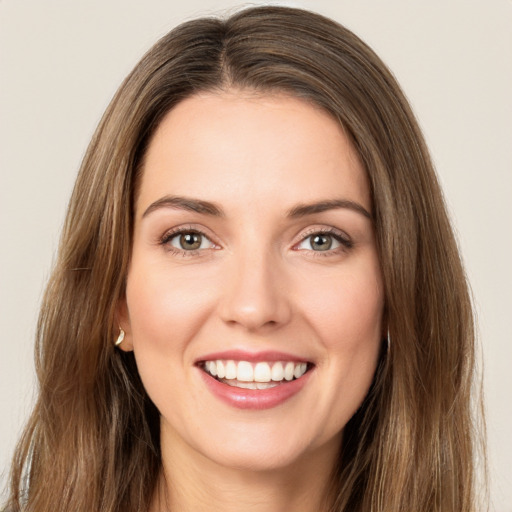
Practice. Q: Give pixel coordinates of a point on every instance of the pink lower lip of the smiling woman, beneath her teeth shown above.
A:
(254, 398)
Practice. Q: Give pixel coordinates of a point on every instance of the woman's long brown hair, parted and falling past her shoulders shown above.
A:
(92, 442)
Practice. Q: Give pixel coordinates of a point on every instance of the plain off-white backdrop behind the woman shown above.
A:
(61, 61)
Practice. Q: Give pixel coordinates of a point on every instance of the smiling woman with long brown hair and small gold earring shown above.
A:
(258, 301)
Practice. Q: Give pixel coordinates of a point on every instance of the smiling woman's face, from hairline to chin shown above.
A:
(254, 296)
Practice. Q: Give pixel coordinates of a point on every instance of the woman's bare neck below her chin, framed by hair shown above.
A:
(190, 482)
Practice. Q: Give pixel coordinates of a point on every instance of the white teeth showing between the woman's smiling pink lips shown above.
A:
(261, 375)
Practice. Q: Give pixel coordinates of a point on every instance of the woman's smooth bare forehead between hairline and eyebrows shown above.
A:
(251, 147)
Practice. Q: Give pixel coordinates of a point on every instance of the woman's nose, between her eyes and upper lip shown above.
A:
(254, 295)
